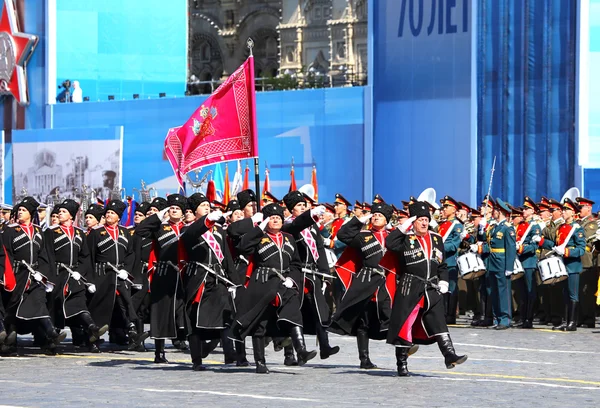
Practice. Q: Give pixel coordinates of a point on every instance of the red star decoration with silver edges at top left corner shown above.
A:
(15, 49)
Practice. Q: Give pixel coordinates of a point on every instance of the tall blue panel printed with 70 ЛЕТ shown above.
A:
(422, 98)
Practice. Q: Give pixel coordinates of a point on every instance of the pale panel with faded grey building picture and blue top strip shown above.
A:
(46, 160)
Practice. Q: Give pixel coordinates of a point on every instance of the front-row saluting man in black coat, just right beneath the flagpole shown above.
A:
(271, 302)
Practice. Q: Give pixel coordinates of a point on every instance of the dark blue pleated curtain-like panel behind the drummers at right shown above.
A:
(526, 85)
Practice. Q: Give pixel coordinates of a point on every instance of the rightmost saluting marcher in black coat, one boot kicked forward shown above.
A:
(418, 313)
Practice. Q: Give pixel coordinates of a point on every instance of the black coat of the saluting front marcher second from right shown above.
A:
(367, 302)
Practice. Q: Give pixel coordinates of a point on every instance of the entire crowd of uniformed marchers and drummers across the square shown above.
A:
(203, 273)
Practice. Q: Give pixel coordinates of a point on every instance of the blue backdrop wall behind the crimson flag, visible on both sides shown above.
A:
(323, 127)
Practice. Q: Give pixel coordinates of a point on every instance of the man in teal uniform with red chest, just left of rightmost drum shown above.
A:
(526, 251)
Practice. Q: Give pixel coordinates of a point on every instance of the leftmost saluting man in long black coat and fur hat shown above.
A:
(164, 287)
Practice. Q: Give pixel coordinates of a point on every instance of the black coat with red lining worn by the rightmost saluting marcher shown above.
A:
(418, 311)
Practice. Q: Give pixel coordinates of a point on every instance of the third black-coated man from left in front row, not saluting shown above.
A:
(113, 258)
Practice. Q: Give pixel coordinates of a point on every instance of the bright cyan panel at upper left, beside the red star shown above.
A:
(119, 48)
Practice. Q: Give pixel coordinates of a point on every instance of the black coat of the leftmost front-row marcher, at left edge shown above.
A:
(28, 299)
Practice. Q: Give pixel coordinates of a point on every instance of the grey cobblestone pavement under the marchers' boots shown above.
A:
(505, 368)
